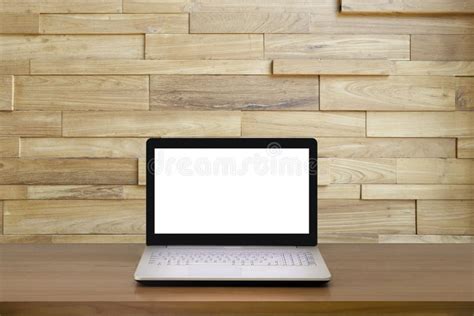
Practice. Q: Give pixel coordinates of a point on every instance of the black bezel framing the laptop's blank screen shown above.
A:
(231, 239)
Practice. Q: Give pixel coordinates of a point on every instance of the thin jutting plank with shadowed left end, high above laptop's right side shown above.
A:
(331, 67)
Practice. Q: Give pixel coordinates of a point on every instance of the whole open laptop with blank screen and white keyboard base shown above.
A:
(231, 210)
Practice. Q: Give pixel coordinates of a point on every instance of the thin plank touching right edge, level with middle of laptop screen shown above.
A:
(417, 192)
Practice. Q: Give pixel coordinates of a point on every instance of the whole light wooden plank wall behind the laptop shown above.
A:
(387, 87)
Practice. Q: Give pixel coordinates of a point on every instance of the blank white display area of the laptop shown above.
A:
(231, 191)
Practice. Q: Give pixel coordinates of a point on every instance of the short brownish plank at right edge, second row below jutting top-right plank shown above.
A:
(442, 47)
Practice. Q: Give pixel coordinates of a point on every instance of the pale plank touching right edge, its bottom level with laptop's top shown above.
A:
(420, 124)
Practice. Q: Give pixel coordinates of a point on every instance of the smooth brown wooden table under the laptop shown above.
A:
(98, 280)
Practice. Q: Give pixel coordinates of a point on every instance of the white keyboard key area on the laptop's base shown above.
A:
(231, 257)
